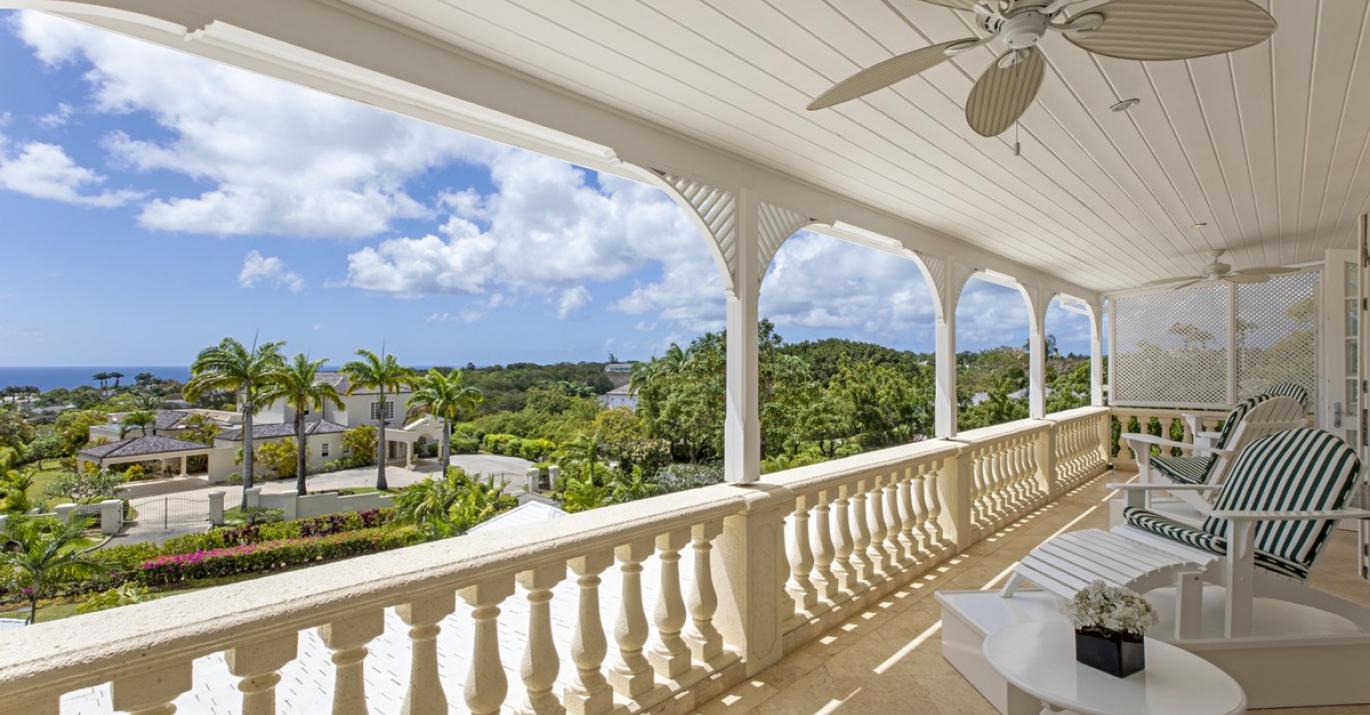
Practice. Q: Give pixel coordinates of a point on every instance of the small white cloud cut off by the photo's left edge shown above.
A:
(47, 172)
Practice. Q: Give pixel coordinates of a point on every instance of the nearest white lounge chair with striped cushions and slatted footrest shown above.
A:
(1268, 527)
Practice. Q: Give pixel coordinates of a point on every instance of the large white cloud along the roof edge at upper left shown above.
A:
(280, 158)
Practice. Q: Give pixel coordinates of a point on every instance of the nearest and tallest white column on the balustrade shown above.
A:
(742, 424)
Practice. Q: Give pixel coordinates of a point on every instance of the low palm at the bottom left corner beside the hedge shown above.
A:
(43, 553)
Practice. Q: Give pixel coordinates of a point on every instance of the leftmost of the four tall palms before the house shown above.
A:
(238, 369)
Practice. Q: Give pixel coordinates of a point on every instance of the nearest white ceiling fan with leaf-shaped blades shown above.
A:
(1125, 29)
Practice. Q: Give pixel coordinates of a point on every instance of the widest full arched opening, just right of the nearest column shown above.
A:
(846, 354)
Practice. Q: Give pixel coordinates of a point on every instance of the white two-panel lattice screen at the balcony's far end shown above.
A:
(1212, 344)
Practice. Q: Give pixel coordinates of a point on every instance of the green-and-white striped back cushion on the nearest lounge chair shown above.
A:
(1293, 471)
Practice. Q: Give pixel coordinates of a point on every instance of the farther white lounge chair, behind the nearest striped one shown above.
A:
(1251, 420)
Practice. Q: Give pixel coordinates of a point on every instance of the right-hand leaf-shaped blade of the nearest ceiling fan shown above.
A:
(1175, 29)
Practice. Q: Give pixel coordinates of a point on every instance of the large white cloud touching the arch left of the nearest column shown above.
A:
(547, 231)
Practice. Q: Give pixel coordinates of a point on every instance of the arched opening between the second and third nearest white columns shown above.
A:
(993, 353)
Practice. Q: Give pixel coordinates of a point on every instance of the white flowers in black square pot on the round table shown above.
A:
(1110, 624)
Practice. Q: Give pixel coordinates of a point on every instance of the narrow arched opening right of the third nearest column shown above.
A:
(1068, 332)
